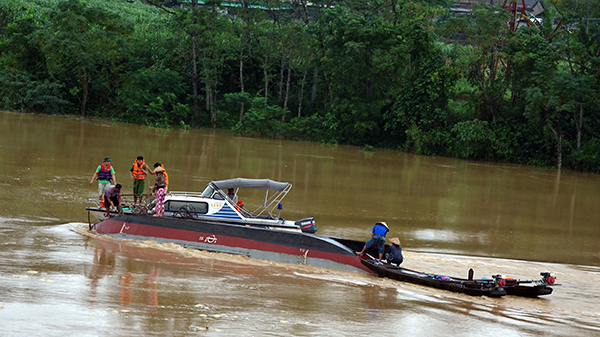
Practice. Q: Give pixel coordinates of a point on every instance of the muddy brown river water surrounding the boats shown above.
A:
(57, 279)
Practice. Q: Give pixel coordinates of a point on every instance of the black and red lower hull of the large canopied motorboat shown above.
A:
(258, 242)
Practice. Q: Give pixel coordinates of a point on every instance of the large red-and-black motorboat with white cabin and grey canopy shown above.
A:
(213, 222)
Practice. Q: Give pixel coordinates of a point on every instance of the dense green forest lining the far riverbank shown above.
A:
(398, 74)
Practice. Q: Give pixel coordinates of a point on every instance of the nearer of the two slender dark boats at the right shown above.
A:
(481, 287)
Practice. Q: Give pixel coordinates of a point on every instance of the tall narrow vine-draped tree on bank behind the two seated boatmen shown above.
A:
(418, 114)
